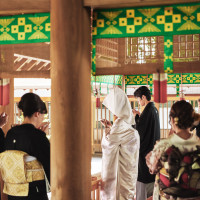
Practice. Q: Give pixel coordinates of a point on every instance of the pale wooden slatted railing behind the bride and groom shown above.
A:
(102, 112)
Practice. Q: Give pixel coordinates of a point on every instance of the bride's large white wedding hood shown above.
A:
(117, 102)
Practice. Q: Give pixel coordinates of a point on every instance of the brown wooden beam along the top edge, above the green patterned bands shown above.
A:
(10, 7)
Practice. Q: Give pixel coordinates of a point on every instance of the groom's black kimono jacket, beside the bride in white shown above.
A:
(148, 126)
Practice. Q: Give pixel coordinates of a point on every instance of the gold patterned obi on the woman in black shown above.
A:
(17, 174)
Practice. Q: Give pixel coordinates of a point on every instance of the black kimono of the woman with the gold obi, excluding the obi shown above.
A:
(33, 141)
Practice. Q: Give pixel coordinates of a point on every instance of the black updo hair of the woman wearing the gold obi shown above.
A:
(31, 103)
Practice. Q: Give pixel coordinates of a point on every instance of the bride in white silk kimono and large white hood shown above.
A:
(120, 147)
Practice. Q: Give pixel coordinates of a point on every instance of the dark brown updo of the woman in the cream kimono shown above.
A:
(183, 114)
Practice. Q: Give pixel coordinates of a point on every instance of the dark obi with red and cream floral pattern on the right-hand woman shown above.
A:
(180, 175)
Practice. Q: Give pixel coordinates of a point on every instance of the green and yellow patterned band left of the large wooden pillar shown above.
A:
(27, 28)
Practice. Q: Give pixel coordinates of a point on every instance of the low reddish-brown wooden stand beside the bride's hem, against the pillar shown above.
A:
(96, 187)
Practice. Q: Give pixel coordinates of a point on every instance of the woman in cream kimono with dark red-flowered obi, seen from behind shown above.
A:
(175, 160)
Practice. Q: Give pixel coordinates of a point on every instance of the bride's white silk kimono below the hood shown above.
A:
(120, 148)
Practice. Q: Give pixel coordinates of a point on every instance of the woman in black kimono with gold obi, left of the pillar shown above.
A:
(29, 140)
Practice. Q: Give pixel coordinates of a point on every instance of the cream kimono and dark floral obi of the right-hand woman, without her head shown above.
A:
(175, 164)
